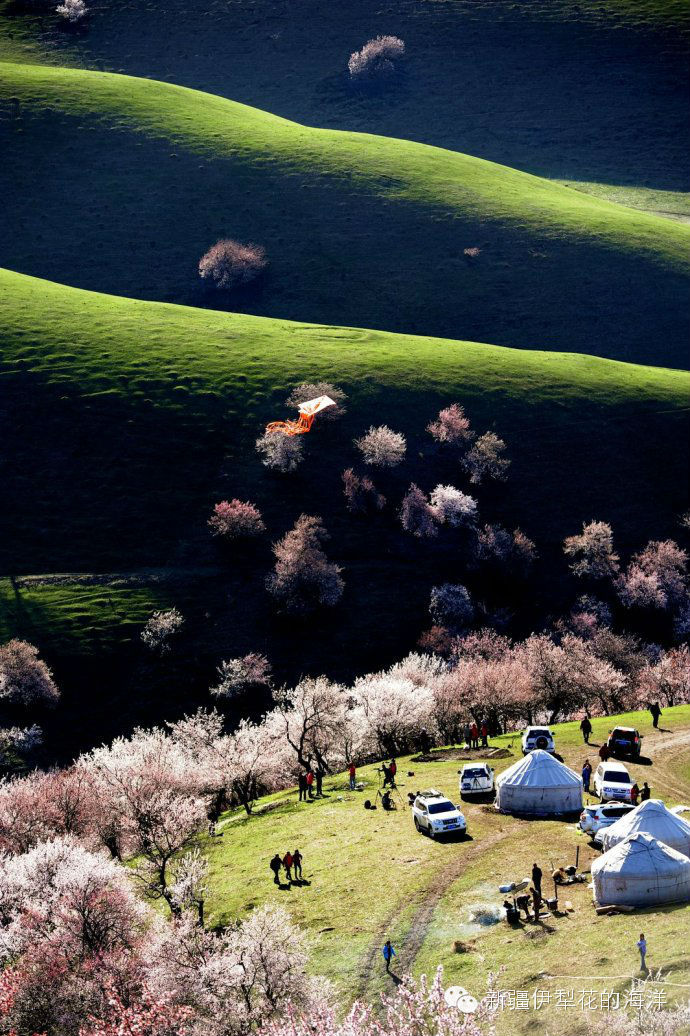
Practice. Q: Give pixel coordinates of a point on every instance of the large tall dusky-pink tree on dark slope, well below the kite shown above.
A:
(304, 579)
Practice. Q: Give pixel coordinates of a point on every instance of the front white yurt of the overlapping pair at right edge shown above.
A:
(641, 872)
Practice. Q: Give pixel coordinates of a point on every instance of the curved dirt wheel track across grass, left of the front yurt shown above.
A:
(430, 898)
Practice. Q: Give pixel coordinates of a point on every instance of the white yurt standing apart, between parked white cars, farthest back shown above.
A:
(540, 786)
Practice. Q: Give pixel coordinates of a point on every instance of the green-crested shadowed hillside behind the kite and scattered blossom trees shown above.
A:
(124, 422)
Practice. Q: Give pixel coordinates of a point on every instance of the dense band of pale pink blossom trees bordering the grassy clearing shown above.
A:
(79, 935)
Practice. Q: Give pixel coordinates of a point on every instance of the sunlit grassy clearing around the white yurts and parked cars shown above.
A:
(425, 890)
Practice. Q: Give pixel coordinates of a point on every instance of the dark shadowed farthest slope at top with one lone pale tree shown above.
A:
(563, 90)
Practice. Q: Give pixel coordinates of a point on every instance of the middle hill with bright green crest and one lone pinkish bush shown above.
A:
(361, 231)
